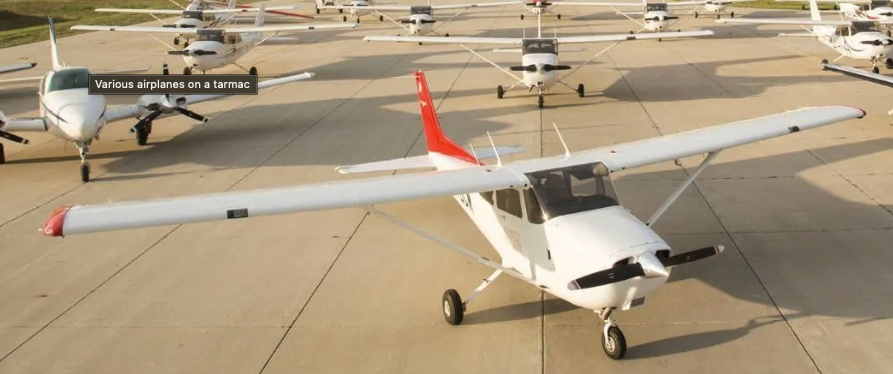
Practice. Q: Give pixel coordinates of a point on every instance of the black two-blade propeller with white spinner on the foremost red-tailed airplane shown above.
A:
(648, 266)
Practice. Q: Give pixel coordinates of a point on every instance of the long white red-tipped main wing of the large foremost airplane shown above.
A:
(78, 219)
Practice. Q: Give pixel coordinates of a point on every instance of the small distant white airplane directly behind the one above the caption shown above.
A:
(195, 16)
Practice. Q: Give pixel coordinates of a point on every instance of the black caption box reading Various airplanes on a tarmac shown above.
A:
(157, 84)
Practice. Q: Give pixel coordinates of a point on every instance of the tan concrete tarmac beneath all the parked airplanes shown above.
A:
(807, 219)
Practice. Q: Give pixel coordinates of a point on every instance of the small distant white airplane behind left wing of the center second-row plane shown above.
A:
(421, 17)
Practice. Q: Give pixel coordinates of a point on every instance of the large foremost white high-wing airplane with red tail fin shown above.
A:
(556, 222)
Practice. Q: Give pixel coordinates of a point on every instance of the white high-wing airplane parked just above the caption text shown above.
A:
(219, 47)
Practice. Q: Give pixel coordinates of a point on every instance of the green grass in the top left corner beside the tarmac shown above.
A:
(25, 21)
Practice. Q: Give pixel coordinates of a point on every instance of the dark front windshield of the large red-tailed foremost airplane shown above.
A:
(573, 189)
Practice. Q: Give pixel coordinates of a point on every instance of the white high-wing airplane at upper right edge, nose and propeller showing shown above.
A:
(861, 40)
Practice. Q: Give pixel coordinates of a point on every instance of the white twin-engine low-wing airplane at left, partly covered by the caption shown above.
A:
(69, 112)
